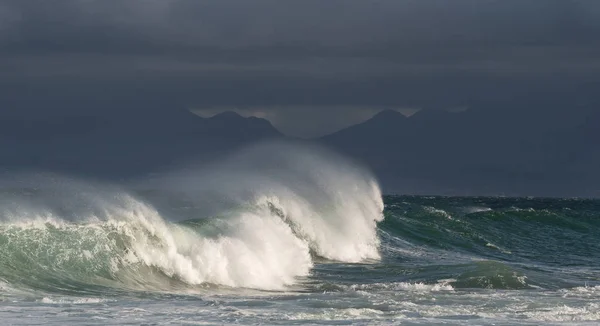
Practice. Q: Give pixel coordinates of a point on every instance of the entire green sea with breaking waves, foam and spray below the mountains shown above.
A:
(302, 241)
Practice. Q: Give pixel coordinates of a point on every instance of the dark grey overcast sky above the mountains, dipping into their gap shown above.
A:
(310, 66)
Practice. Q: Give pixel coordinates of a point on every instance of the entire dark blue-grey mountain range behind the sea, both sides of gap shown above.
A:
(431, 152)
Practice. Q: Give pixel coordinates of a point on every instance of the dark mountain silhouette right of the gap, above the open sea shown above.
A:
(478, 152)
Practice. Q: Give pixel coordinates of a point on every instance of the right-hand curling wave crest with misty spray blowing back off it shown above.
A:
(329, 202)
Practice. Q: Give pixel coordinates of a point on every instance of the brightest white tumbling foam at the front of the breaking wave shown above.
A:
(257, 251)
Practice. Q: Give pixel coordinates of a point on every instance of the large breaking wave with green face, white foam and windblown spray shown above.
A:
(70, 236)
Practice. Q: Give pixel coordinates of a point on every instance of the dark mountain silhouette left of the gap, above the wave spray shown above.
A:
(124, 143)
